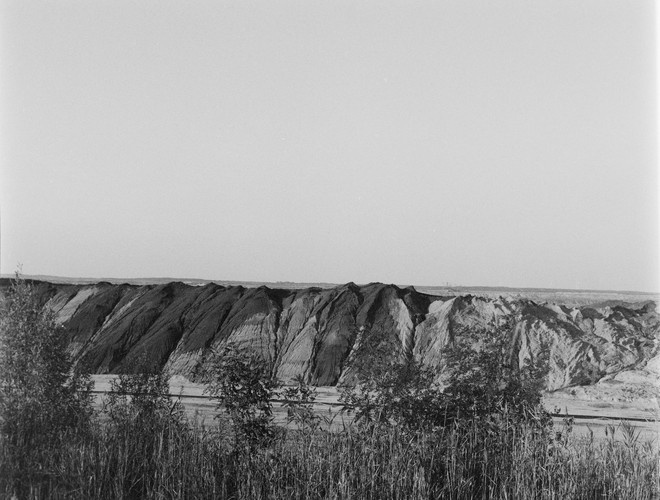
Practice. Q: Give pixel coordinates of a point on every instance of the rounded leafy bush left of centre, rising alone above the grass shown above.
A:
(244, 387)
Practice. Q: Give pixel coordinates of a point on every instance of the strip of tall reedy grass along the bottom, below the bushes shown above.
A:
(167, 459)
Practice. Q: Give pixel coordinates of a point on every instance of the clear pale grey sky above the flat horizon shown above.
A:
(494, 143)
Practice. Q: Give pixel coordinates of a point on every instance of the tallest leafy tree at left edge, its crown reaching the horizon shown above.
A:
(40, 395)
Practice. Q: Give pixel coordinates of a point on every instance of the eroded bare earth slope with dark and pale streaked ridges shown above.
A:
(313, 332)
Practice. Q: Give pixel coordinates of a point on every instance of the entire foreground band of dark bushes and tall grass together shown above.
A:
(484, 435)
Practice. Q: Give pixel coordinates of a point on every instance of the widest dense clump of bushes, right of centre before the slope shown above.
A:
(481, 383)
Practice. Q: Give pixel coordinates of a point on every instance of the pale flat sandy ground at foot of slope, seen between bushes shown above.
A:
(598, 409)
